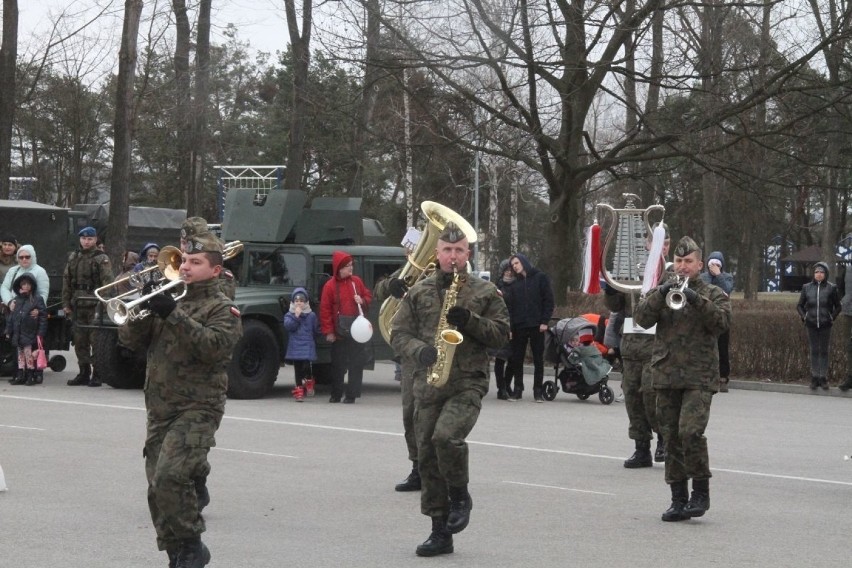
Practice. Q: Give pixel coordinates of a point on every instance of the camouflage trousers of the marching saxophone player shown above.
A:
(441, 427)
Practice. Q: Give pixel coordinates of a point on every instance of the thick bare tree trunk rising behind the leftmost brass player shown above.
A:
(123, 133)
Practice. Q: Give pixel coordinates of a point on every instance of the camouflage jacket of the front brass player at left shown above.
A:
(188, 352)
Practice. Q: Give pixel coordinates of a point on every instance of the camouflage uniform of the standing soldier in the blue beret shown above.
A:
(86, 271)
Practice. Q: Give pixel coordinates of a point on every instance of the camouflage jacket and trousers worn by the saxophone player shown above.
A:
(443, 417)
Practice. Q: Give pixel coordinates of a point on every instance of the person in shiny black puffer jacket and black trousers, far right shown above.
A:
(819, 305)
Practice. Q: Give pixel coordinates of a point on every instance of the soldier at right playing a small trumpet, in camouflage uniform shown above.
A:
(685, 367)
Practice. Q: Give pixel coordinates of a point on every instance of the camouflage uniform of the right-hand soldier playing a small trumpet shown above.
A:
(685, 367)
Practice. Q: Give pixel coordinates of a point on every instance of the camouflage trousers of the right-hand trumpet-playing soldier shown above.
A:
(683, 416)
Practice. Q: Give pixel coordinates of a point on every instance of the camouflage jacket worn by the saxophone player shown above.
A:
(417, 320)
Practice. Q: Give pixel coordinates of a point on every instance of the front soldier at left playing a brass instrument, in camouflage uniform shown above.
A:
(184, 397)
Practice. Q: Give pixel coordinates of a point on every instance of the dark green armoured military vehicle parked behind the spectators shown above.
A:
(285, 246)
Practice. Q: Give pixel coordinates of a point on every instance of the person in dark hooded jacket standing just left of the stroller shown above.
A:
(530, 302)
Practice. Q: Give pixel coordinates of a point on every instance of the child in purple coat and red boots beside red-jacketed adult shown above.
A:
(302, 325)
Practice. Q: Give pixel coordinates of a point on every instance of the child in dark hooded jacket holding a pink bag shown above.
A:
(23, 328)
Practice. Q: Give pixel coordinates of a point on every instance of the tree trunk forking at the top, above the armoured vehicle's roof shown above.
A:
(301, 46)
